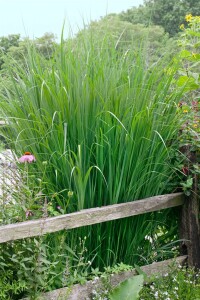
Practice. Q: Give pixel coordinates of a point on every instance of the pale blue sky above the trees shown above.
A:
(33, 18)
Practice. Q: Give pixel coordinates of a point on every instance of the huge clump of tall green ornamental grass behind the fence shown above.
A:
(104, 122)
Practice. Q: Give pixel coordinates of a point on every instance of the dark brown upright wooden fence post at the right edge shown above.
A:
(190, 220)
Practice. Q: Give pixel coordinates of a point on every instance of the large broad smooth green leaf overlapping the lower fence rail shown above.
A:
(128, 289)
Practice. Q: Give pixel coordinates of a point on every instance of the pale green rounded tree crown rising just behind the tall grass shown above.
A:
(130, 37)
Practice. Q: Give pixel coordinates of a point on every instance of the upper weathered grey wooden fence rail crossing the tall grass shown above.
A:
(90, 216)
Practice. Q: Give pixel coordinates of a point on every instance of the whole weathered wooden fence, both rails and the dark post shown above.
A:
(190, 248)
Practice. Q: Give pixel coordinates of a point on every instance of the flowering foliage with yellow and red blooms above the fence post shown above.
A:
(188, 108)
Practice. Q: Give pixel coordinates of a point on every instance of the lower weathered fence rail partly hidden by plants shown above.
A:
(83, 292)
